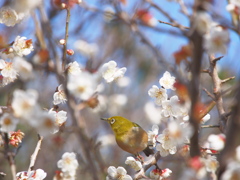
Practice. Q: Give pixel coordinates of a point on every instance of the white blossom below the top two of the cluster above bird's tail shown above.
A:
(171, 107)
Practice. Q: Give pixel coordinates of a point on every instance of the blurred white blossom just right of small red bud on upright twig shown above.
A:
(87, 49)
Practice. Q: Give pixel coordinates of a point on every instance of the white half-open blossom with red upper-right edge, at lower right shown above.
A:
(216, 142)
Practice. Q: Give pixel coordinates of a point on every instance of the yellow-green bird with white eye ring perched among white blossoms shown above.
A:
(129, 135)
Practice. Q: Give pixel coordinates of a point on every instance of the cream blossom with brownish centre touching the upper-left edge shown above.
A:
(8, 16)
